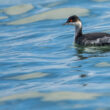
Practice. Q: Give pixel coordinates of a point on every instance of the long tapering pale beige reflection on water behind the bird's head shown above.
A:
(52, 14)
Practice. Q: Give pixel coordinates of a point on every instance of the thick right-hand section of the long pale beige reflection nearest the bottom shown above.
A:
(60, 96)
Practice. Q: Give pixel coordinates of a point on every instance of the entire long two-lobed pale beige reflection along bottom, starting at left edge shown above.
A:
(53, 96)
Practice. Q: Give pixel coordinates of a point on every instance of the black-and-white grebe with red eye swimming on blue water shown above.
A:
(90, 39)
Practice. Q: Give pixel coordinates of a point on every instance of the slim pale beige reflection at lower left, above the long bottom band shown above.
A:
(29, 76)
